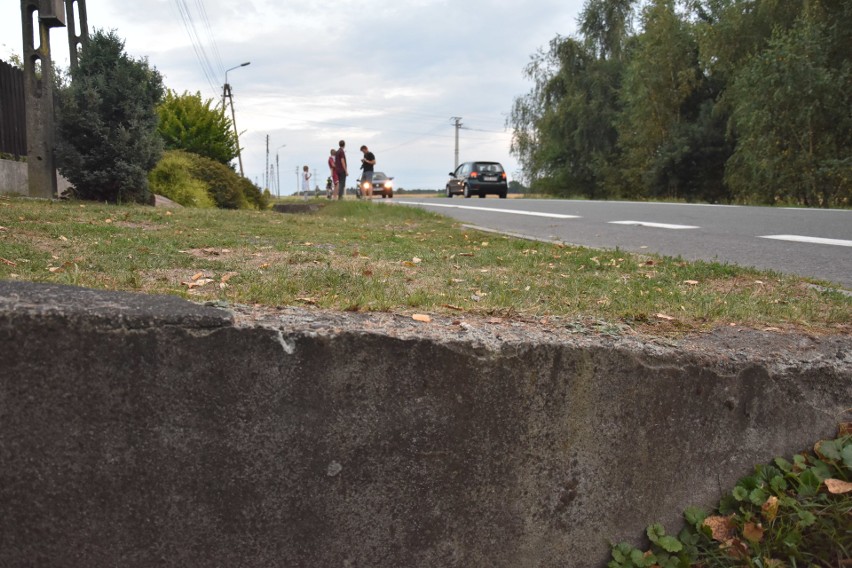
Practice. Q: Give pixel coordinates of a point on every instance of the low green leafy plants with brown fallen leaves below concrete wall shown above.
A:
(795, 513)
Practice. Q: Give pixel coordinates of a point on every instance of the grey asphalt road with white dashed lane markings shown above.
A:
(815, 243)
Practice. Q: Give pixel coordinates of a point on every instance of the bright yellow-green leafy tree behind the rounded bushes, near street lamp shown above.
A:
(189, 123)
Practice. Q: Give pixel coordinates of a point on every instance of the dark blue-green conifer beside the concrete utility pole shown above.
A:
(107, 123)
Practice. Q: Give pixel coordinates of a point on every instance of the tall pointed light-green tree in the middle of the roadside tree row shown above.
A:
(673, 146)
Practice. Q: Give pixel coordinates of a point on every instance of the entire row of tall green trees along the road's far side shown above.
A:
(746, 101)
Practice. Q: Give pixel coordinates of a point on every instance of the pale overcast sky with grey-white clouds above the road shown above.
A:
(388, 74)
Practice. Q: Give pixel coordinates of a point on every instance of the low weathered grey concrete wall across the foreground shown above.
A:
(140, 431)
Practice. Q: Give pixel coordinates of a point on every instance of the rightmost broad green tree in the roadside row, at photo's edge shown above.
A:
(792, 121)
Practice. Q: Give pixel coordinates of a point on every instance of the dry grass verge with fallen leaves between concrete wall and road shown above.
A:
(368, 257)
